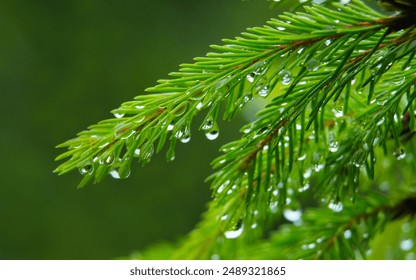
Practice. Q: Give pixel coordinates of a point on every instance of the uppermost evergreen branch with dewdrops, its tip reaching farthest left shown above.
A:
(111, 145)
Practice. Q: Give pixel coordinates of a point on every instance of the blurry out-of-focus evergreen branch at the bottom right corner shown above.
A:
(336, 234)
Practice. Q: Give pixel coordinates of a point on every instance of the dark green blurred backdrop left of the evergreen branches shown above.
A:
(63, 66)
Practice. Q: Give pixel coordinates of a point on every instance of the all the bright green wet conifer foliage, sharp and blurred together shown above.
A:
(339, 83)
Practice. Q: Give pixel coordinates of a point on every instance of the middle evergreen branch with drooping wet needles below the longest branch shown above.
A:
(342, 144)
